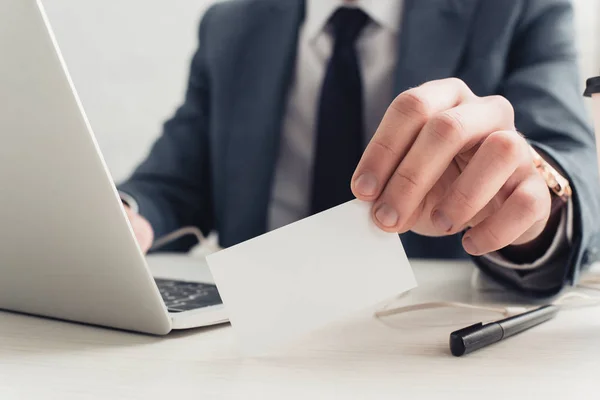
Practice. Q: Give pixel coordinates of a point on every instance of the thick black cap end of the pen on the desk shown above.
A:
(474, 337)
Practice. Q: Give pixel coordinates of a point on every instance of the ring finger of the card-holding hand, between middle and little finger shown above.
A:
(483, 178)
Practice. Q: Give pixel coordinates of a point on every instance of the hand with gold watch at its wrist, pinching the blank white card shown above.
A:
(444, 160)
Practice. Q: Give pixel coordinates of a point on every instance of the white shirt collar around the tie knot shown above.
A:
(386, 13)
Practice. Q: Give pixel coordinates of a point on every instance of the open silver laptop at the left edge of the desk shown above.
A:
(67, 250)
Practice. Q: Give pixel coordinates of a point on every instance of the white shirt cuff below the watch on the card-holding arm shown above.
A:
(564, 235)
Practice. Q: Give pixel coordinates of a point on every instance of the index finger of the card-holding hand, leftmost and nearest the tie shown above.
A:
(403, 120)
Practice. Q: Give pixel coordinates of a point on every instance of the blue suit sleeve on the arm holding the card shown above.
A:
(543, 84)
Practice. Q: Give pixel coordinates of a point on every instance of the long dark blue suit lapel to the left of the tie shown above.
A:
(265, 71)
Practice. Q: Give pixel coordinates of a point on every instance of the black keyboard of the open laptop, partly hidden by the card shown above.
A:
(182, 296)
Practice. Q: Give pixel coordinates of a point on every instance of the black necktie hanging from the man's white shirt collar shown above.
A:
(339, 143)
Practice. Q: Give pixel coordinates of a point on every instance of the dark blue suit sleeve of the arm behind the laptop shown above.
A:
(172, 186)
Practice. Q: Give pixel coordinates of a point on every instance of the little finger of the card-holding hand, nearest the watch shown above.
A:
(523, 216)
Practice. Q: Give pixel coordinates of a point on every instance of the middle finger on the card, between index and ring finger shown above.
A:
(443, 137)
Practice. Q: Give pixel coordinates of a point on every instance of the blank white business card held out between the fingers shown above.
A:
(284, 284)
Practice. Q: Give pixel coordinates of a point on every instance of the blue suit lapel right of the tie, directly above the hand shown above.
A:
(432, 40)
